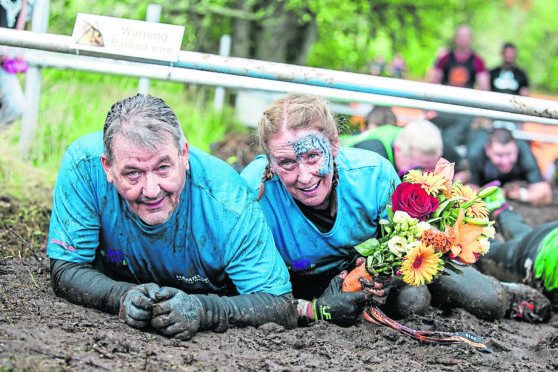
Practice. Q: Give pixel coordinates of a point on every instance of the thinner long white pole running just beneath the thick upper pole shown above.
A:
(136, 69)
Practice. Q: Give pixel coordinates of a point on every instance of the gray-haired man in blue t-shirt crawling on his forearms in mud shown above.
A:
(145, 226)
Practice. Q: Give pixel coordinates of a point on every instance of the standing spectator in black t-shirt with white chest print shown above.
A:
(508, 78)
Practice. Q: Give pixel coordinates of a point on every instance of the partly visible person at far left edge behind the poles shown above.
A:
(13, 14)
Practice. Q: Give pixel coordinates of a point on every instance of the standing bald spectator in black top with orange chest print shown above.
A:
(461, 67)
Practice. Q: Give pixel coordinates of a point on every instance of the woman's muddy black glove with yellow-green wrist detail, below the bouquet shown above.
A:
(338, 307)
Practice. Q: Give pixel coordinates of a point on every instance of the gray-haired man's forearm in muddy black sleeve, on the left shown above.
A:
(82, 284)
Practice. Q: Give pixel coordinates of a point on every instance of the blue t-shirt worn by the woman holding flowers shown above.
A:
(366, 181)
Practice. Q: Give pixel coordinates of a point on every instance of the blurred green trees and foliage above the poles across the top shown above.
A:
(350, 34)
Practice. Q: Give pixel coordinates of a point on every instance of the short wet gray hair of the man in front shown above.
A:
(145, 120)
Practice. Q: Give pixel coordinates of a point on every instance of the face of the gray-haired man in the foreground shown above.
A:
(150, 183)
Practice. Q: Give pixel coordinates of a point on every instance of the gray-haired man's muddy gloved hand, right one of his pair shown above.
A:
(177, 314)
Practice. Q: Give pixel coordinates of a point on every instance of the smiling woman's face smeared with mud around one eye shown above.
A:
(303, 161)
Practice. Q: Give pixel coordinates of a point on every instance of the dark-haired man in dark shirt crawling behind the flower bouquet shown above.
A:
(505, 159)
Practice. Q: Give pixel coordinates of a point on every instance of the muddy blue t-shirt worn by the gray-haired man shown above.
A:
(216, 235)
